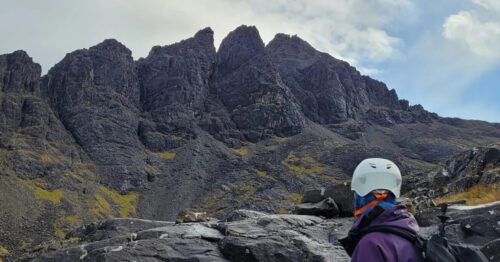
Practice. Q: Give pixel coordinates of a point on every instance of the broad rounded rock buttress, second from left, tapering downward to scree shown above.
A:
(96, 94)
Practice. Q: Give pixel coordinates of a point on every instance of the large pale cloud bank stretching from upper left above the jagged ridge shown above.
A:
(348, 29)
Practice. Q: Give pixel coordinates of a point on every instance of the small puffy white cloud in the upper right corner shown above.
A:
(483, 38)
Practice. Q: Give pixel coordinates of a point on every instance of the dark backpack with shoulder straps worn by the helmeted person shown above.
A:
(435, 249)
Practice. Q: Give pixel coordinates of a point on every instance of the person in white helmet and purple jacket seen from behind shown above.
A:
(376, 184)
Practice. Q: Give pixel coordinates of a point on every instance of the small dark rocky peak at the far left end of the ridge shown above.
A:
(18, 73)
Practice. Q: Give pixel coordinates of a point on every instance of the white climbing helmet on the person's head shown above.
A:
(376, 173)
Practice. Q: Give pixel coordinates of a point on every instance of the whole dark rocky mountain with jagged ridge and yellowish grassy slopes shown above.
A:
(247, 126)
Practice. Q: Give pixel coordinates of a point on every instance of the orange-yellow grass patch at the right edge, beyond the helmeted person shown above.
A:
(476, 195)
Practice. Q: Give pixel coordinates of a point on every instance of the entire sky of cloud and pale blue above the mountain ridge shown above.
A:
(442, 54)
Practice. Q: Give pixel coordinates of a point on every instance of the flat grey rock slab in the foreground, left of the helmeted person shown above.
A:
(246, 236)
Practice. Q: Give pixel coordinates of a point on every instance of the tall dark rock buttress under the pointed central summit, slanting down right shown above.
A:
(261, 106)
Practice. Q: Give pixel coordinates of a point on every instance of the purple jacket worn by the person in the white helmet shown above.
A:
(387, 247)
